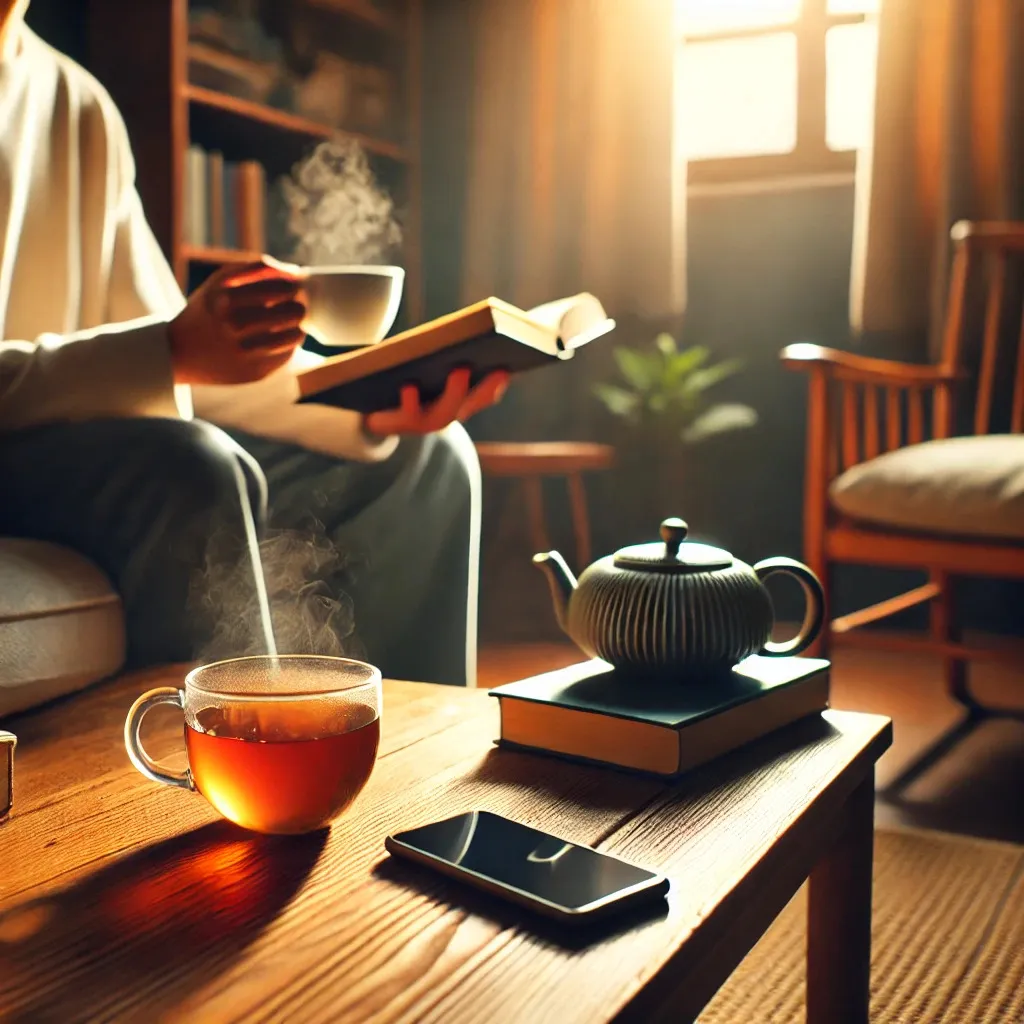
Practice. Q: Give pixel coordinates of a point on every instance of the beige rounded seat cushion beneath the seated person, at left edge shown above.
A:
(62, 625)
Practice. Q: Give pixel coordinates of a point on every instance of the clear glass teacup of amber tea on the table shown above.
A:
(276, 745)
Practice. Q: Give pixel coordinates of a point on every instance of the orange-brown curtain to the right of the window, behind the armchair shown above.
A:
(949, 145)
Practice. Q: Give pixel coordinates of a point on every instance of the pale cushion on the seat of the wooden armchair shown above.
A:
(964, 487)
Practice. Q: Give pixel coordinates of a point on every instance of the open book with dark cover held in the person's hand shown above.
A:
(487, 336)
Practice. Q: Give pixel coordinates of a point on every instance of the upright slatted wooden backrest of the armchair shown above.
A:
(985, 331)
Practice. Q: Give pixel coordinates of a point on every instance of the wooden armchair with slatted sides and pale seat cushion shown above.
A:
(861, 409)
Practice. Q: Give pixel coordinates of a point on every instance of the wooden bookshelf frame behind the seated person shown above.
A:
(142, 54)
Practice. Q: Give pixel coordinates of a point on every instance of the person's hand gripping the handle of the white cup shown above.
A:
(242, 324)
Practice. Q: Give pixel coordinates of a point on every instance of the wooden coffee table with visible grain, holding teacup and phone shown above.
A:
(122, 900)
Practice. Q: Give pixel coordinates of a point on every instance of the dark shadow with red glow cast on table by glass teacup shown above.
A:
(142, 934)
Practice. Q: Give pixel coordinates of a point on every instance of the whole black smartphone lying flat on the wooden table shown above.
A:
(562, 880)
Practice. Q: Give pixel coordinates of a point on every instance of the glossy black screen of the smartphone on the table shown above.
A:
(534, 863)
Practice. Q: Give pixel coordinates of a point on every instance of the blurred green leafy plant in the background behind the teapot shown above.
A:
(666, 400)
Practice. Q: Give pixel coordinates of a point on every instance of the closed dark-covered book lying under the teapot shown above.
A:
(590, 712)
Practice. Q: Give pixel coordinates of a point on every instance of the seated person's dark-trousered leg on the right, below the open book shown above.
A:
(399, 540)
